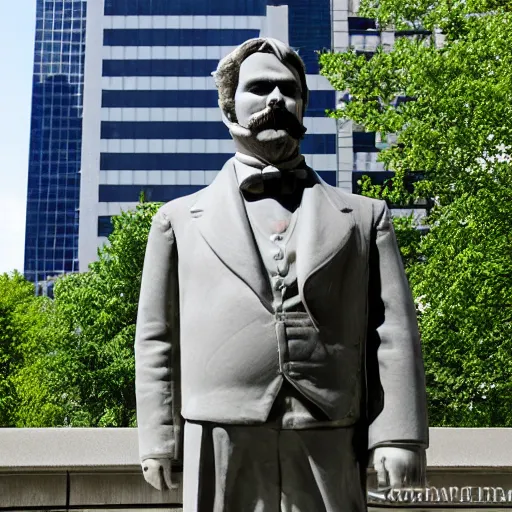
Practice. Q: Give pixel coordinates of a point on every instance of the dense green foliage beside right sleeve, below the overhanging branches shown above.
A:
(465, 296)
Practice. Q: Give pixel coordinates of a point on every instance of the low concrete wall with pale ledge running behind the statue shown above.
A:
(86, 468)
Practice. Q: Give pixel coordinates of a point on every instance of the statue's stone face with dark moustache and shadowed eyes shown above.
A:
(268, 92)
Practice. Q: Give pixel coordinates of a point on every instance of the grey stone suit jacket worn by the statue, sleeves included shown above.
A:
(206, 344)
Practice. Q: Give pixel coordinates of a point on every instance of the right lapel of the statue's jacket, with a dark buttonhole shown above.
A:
(326, 225)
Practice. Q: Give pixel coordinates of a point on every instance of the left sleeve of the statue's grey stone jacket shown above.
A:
(157, 376)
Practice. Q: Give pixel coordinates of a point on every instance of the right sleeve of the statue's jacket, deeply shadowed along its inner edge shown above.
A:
(395, 363)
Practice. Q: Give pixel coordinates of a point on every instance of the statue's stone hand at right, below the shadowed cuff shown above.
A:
(400, 466)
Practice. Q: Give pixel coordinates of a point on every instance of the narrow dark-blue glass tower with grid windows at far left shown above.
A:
(51, 239)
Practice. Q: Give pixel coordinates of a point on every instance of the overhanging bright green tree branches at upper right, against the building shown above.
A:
(462, 107)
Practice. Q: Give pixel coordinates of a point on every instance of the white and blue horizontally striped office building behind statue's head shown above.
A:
(151, 120)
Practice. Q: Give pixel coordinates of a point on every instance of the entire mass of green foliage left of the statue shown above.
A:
(70, 361)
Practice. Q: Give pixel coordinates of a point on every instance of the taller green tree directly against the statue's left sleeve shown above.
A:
(100, 308)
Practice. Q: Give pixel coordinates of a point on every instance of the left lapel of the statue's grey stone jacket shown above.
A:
(222, 220)
